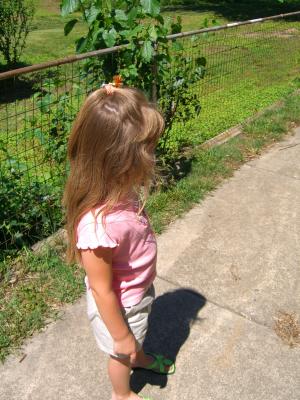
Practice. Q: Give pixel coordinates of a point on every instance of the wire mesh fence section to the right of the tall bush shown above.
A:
(248, 67)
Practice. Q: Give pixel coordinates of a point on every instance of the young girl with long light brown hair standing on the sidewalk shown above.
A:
(111, 152)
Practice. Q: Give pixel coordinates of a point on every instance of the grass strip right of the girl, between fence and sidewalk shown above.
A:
(210, 167)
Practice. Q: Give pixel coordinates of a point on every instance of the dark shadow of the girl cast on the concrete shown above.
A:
(170, 320)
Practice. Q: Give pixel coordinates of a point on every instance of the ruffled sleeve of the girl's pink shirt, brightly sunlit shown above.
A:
(91, 235)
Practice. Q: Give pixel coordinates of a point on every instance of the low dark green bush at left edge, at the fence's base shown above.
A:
(29, 210)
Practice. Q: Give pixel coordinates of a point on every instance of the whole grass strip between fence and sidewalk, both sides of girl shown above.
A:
(34, 287)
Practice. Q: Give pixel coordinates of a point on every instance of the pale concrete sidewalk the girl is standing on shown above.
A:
(225, 270)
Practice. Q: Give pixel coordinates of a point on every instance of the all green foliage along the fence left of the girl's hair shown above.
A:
(30, 208)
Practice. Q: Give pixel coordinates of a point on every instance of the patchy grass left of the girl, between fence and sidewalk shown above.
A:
(32, 291)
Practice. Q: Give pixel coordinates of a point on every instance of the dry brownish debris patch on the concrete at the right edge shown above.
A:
(287, 328)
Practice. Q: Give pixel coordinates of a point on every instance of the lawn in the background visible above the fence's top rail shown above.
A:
(47, 40)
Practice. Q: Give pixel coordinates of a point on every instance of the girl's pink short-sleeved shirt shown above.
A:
(134, 248)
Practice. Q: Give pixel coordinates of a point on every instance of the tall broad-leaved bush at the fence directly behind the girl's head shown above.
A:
(150, 61)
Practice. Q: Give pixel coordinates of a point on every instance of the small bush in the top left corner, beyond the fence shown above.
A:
(15, 19)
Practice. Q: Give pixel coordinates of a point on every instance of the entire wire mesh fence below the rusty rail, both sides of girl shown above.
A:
(248, 66)
